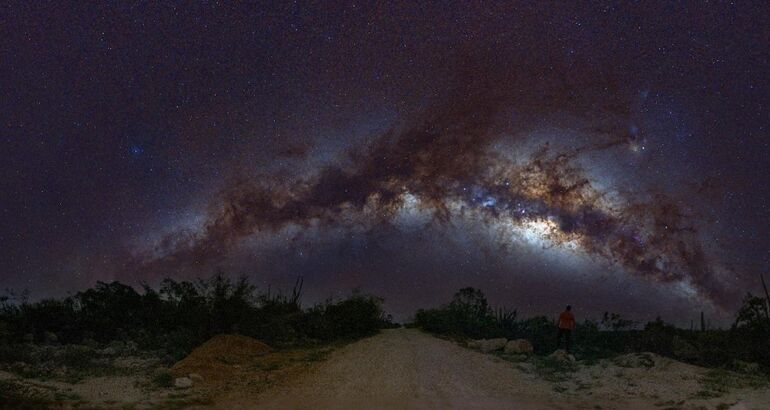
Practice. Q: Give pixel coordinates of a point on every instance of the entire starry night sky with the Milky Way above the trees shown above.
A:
(611, 157)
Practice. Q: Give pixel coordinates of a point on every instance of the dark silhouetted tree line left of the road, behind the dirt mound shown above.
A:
(181, 315)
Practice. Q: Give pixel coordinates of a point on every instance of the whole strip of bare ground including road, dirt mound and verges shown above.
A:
(405, 368)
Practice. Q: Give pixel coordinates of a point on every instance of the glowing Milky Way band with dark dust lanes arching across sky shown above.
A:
(443, 162)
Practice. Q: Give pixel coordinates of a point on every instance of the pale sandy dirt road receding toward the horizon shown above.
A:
(405, 368)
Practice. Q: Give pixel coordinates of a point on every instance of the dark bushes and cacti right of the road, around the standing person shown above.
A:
(469, 315)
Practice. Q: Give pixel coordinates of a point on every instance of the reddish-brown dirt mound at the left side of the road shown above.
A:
(221, 355)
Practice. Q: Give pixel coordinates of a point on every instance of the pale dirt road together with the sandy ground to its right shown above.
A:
(405, 368)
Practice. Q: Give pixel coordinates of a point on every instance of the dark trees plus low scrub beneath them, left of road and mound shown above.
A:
(116, 330)
